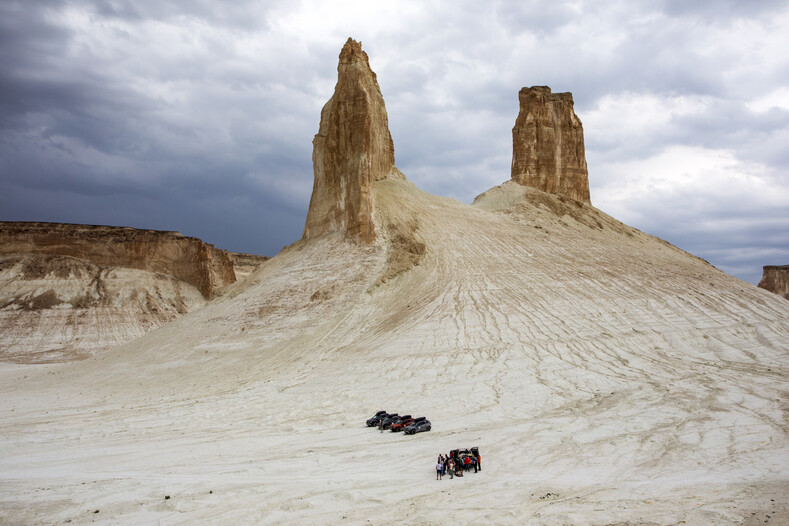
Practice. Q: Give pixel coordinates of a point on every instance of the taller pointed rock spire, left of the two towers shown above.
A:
(352, 150)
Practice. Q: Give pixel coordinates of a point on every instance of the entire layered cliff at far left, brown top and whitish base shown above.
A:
(68, 292)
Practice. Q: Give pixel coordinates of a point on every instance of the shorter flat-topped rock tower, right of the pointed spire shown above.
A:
(548, 144)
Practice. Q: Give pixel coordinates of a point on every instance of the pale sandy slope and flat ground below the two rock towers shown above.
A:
(606, 376)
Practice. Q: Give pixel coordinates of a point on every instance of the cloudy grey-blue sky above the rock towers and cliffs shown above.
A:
(198, 115)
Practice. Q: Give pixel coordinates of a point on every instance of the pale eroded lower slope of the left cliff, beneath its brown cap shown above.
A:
(57, 308)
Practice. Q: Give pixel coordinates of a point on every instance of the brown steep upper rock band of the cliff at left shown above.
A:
(185, 258)
